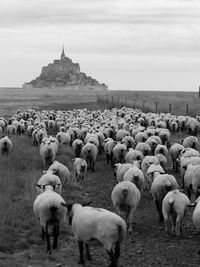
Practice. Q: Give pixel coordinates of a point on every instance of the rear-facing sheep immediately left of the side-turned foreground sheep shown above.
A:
(49, 208)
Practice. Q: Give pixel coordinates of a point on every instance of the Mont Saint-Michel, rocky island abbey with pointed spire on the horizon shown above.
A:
(62, 73)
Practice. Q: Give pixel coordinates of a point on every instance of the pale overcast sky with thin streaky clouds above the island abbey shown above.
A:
(126, 44)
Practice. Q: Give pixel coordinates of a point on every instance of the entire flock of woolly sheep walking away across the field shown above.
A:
(137, 147)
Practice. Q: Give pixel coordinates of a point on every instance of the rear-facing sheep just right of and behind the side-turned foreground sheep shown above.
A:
(125, 198)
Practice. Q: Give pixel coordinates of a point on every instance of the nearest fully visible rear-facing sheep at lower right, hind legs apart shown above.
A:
(174, 205)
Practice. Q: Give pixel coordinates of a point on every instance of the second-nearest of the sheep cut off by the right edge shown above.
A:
(192, 179)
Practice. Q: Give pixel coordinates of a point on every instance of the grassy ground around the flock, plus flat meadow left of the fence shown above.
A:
(20, 244)
